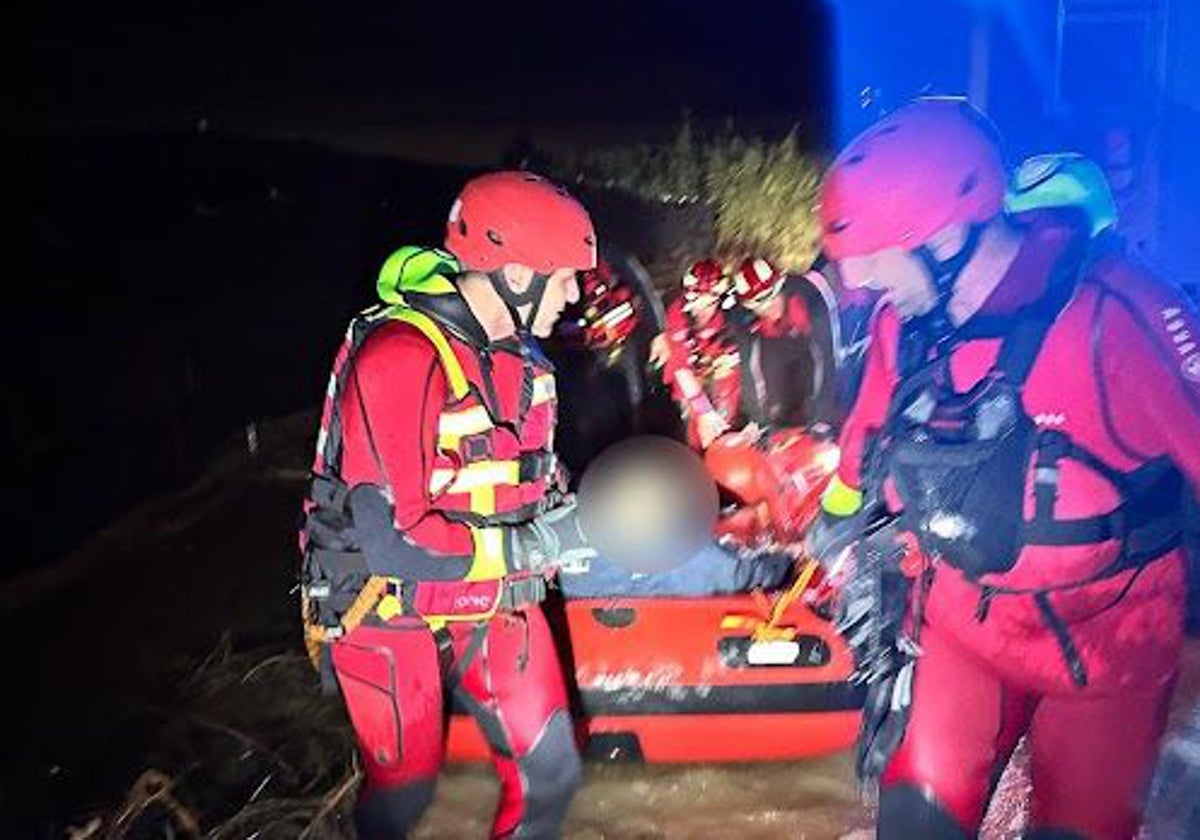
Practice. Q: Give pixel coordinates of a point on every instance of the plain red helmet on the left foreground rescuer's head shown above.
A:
(520, 218)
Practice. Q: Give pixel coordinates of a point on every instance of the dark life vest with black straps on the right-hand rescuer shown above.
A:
(961, 464)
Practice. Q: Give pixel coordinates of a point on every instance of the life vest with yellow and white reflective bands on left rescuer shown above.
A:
(479, 477)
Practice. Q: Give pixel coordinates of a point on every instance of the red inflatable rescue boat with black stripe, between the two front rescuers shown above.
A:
(674, 680)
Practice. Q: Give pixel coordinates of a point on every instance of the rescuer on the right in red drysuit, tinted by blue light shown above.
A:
(1029, 406)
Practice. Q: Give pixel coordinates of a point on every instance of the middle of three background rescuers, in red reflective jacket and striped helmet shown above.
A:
(699, 357)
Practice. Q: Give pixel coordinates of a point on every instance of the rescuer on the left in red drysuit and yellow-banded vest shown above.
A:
(435, 457)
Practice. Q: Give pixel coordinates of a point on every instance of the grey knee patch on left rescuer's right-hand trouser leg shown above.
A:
(553, 773)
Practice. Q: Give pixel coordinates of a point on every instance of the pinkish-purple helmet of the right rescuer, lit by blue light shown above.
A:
(931, 165)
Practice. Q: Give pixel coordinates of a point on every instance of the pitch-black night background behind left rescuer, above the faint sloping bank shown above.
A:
(206, 190)
